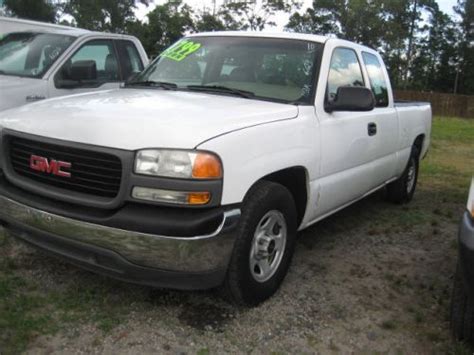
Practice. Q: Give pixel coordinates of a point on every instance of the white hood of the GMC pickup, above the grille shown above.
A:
(142, 118)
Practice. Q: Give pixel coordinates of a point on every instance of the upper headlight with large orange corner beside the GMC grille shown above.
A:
(178, 164)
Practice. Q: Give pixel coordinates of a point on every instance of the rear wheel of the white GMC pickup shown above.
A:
(402, 189)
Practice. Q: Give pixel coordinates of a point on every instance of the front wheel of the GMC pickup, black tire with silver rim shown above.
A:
(264, 246)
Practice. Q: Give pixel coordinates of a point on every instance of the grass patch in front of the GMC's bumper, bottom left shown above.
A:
(27, 310)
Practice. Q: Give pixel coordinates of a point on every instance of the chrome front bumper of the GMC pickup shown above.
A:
(190, 262)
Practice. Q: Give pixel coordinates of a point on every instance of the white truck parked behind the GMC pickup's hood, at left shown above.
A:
(39, 61)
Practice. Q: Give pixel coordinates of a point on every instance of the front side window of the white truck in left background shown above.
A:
(94, 64)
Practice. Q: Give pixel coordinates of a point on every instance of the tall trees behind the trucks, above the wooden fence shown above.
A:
(424, 48)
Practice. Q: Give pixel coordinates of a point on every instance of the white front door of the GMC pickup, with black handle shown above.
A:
(347, 144)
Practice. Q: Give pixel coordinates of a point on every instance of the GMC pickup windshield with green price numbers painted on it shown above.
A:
(262, 68)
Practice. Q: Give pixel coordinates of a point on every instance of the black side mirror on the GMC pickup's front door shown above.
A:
(352, 98)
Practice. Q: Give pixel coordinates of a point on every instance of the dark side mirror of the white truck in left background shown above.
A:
(82, 73)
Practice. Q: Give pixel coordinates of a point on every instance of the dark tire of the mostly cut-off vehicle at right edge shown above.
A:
(462, 310)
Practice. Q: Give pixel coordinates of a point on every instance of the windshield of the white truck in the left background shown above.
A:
(31, 54)
